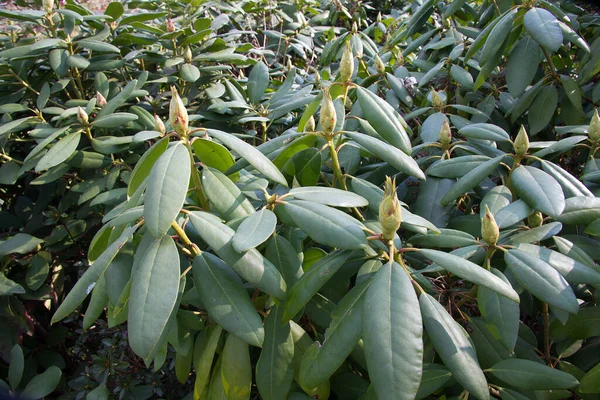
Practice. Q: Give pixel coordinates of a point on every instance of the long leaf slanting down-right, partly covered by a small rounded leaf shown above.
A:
(250, 265)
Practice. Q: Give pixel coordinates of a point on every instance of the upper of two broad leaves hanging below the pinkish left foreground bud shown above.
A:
(167, 188)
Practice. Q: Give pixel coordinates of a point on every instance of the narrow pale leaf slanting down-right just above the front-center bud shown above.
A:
(391, 155)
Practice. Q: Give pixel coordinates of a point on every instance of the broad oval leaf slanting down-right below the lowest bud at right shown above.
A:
(541, 280)
